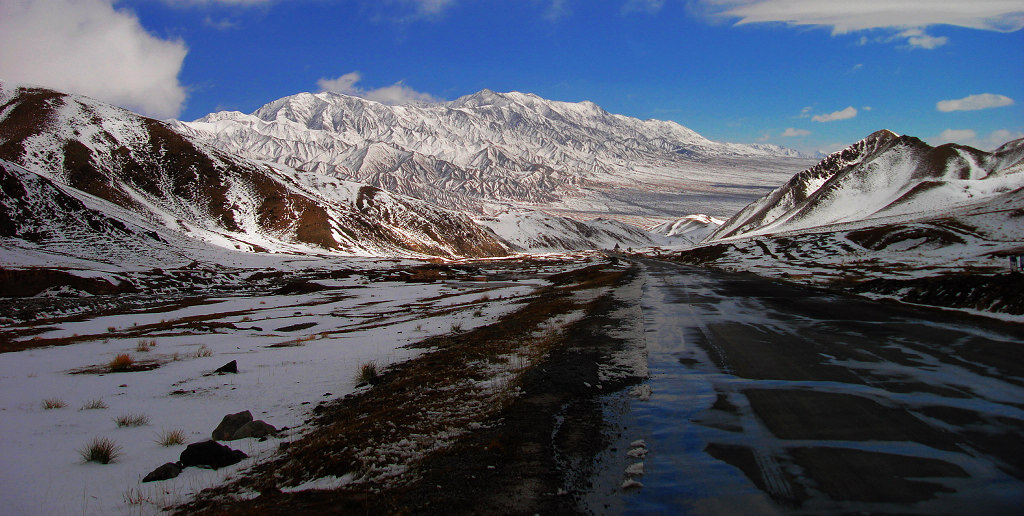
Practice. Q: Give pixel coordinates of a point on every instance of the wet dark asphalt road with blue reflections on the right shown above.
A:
(771, 399)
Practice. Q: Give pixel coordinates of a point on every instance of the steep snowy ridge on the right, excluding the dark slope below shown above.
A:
(883, 176)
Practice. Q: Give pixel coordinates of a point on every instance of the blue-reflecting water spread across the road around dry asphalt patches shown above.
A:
(678, 423)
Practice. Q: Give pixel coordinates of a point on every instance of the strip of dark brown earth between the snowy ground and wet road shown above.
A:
(506, 448)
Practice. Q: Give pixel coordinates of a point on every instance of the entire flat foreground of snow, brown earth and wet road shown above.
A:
(557, 385)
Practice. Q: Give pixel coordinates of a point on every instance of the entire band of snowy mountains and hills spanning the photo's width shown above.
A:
(453, 180)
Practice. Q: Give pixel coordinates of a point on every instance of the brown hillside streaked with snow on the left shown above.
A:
(91, 152)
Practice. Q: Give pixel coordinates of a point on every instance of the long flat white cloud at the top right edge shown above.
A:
(908, 17)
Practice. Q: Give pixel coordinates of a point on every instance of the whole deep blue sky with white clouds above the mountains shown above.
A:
(805, 74)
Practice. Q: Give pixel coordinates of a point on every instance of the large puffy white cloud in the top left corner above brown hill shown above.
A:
(89, 48)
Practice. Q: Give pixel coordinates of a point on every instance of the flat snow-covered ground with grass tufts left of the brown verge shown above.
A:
(293, 352)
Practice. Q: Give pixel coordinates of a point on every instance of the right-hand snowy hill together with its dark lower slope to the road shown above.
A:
(889, 217)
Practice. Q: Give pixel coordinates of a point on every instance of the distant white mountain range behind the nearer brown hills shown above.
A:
(488, 151)
